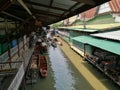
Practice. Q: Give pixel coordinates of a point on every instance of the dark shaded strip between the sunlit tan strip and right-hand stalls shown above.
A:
(101, 77)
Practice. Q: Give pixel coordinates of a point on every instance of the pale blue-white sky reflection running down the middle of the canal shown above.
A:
(62, 73)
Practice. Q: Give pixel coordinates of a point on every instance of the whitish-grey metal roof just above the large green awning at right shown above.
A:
(114, 35)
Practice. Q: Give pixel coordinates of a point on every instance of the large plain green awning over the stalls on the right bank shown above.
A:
(107, 45)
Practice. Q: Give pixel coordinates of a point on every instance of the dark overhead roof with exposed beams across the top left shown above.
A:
(35, 9)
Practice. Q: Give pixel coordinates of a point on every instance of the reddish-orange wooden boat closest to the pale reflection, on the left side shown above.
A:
(43, 66)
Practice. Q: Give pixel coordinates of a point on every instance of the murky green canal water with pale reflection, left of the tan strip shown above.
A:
(62, 75)
